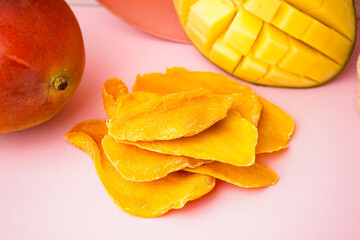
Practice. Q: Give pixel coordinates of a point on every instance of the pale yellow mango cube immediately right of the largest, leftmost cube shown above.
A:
(243, 31)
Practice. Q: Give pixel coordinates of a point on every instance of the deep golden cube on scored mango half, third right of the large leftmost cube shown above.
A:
(299, 59)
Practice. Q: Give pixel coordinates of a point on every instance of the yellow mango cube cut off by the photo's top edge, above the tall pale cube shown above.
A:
(264, 9)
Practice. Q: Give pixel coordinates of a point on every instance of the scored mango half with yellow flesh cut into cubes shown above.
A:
(282, 43)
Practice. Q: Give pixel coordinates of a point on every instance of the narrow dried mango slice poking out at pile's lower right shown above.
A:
(253, 176)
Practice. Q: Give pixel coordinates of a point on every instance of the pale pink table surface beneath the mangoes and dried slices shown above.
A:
(50, 190)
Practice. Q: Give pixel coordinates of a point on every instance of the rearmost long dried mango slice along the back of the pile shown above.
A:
(179, 79)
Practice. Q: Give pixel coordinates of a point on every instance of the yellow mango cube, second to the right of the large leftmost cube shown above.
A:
(271, 44)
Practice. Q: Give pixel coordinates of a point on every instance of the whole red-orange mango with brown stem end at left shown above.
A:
(42, 59)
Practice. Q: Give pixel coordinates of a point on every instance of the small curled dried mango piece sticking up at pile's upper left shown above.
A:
(110, 92)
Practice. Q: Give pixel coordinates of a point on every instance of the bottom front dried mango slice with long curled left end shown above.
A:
(142, 199)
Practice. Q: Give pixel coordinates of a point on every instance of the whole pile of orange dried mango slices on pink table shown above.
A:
(167, 142)
